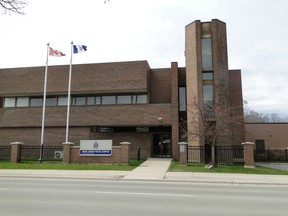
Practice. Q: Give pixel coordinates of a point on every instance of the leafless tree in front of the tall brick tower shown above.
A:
(217, 123)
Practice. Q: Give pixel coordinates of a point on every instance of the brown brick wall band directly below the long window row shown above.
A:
(87, 115)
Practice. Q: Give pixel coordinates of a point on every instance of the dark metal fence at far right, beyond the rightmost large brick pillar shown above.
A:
(271, 155)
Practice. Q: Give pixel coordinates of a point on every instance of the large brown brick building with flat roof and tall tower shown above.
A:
(127, 101)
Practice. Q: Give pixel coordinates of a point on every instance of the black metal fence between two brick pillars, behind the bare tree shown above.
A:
(224, 154)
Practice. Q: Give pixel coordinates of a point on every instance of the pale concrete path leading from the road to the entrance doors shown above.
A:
(152, 169)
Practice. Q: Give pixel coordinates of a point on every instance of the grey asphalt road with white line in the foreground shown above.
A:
(29, 197)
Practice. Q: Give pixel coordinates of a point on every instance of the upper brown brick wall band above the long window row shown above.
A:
(88, 78)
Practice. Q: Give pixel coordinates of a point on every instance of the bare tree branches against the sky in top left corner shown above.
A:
(15, 6)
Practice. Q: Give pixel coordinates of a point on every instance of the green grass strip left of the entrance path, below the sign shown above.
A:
(59, 165)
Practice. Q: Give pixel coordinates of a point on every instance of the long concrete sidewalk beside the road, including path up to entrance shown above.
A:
(152, 169)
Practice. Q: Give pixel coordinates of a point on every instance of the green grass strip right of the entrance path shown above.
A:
(177, 167)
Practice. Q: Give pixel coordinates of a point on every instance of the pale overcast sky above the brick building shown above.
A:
(153, 30)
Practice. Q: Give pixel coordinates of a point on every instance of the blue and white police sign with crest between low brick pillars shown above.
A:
(95, 147)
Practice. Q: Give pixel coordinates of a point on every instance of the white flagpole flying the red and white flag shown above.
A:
(44, 107)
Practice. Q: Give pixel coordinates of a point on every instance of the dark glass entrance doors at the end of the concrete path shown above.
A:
(161, 145)
